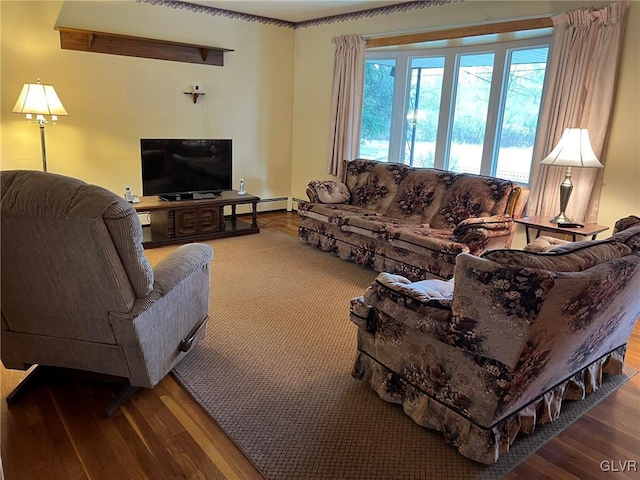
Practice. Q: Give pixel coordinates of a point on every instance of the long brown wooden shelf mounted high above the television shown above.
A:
(116, 44)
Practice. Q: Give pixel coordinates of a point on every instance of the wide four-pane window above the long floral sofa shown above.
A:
(467, 109)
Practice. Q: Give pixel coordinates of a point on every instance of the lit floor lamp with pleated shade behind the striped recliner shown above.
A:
(40, 100)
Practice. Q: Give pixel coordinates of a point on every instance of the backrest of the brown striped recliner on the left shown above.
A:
(71, 253)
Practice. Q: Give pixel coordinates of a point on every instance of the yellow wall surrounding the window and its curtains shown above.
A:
(313, 76)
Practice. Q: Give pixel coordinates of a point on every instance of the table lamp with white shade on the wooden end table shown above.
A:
(573, 150)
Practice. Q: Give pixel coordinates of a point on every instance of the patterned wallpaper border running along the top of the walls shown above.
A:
(221, 12)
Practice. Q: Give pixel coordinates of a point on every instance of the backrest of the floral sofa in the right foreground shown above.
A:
(546, 325)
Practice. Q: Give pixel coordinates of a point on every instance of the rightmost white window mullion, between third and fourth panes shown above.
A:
(496, 101)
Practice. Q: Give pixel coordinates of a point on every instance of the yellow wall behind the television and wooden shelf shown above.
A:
(113, 101)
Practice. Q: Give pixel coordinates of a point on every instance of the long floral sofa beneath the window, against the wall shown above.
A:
(409, 221)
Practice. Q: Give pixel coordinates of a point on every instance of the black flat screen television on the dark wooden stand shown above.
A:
(179, 169)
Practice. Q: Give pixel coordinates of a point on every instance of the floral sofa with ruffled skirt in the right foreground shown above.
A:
(499, 348)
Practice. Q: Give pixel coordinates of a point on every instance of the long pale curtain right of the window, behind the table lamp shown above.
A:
(583, 72)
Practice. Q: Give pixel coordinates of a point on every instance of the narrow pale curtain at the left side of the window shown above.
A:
(346, 101)
